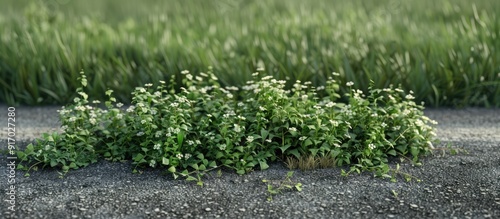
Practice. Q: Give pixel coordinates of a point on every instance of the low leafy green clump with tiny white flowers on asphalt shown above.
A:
(206, 126)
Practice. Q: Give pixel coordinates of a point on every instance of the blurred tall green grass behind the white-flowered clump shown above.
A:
(446, 51)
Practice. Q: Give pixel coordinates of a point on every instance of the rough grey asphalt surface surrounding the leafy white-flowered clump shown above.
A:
(466, 185)
